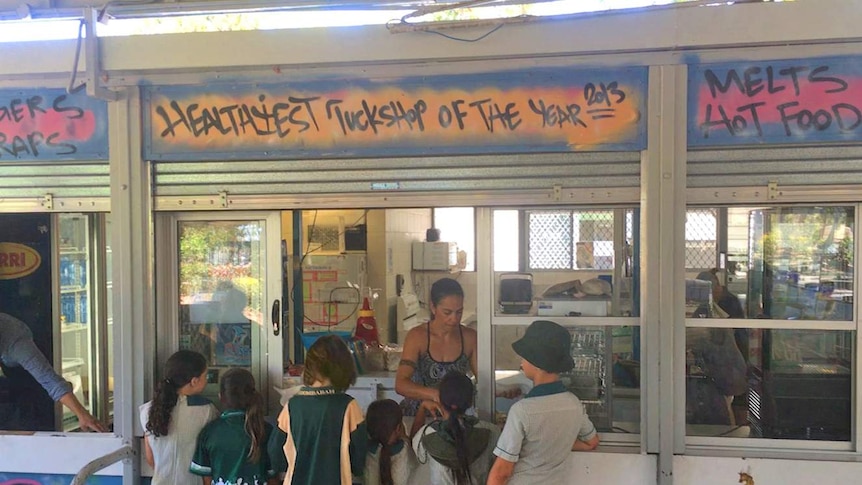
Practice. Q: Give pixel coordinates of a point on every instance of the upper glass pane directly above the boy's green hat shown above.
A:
(572, 263)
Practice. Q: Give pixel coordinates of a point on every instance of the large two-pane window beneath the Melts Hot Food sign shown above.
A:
(771, 326)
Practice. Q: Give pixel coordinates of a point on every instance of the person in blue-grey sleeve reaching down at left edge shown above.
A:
(23, 365)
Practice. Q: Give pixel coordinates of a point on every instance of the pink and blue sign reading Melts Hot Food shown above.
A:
(779, 102)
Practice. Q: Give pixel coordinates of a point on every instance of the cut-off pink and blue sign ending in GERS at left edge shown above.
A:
(50, 124)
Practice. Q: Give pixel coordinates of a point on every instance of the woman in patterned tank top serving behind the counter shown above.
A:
(436, 348)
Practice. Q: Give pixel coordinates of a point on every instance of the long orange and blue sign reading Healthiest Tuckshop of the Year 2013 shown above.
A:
(554, 109)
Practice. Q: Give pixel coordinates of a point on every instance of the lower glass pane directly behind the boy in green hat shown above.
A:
(606, 377)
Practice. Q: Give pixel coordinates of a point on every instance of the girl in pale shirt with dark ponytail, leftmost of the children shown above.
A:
(175, 416)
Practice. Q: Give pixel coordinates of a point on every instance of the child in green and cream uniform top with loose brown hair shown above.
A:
(321, 428)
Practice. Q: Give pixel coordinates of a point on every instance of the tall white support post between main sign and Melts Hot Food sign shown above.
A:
(662, 268)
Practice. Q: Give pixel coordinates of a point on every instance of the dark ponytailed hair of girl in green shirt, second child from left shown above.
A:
(238, 392)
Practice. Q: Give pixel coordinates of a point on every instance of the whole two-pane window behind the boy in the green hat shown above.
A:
(577, 266)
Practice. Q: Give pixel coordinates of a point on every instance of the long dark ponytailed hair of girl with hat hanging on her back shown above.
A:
(456, 395)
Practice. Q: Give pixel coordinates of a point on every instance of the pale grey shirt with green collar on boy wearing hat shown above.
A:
(539, 433)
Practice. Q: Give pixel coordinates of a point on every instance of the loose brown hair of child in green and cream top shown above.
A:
(329, 358)
